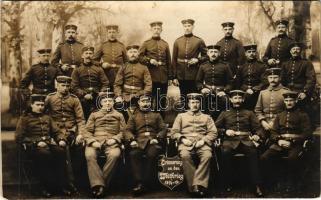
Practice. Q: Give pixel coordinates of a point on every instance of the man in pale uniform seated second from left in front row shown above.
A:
(104, 132)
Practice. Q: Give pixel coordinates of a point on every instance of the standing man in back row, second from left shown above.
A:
(111, 54)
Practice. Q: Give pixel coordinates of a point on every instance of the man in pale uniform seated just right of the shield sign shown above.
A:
(195, 133)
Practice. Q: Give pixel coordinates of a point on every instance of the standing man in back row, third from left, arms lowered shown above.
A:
(154, 53)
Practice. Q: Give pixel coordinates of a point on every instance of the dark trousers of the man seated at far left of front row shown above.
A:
(48, 164)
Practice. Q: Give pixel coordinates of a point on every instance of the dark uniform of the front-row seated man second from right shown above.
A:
(246, 124)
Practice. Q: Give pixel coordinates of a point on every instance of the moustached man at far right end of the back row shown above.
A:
(277, 50)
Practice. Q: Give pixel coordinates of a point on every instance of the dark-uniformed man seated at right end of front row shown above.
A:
(291, 128)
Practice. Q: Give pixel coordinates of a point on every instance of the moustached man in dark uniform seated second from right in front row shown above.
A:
(242, 131)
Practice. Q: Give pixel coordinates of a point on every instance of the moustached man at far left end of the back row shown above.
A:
(68, 54)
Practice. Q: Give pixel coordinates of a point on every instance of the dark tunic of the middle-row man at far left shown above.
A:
(42, 77)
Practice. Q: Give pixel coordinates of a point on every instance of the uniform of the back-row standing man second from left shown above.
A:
(113, 52)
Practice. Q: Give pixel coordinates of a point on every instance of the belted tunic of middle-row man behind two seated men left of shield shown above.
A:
(132, 80)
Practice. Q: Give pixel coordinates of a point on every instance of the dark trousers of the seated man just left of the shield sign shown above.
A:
(143, 169)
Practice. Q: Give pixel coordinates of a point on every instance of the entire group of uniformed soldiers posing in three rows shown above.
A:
(110, 97)
